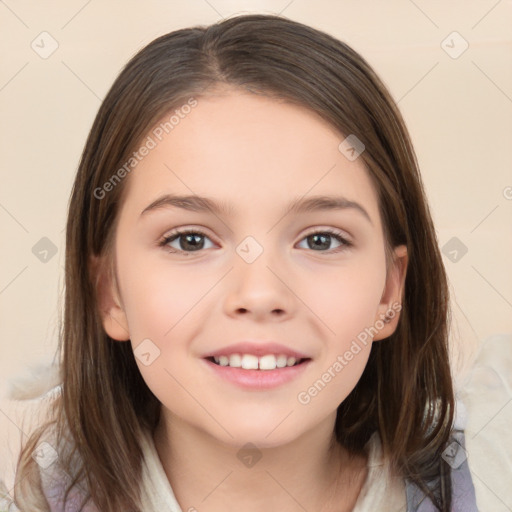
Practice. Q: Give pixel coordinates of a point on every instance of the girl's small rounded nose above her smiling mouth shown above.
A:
(260, 289)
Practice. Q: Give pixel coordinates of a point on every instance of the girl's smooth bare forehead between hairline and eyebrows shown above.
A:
(248, 151)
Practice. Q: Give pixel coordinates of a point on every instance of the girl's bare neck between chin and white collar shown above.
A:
(311, 472)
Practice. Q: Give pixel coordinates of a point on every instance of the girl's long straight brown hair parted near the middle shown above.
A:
(405, 392)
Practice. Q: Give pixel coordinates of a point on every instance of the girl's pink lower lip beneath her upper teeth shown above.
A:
(258, 379)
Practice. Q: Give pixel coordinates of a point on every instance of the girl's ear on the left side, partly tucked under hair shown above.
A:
(109, 304)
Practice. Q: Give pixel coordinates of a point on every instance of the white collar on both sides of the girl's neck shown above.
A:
(379, 492)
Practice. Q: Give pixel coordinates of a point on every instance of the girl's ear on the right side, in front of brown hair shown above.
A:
(390, 304)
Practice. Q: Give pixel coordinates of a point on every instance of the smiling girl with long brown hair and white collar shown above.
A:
(256, 309)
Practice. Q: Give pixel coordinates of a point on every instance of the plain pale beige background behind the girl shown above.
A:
(458, 109)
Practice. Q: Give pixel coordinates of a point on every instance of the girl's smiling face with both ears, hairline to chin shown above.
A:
(251, 271)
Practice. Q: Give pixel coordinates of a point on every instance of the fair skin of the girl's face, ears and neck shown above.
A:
(255, 154)
